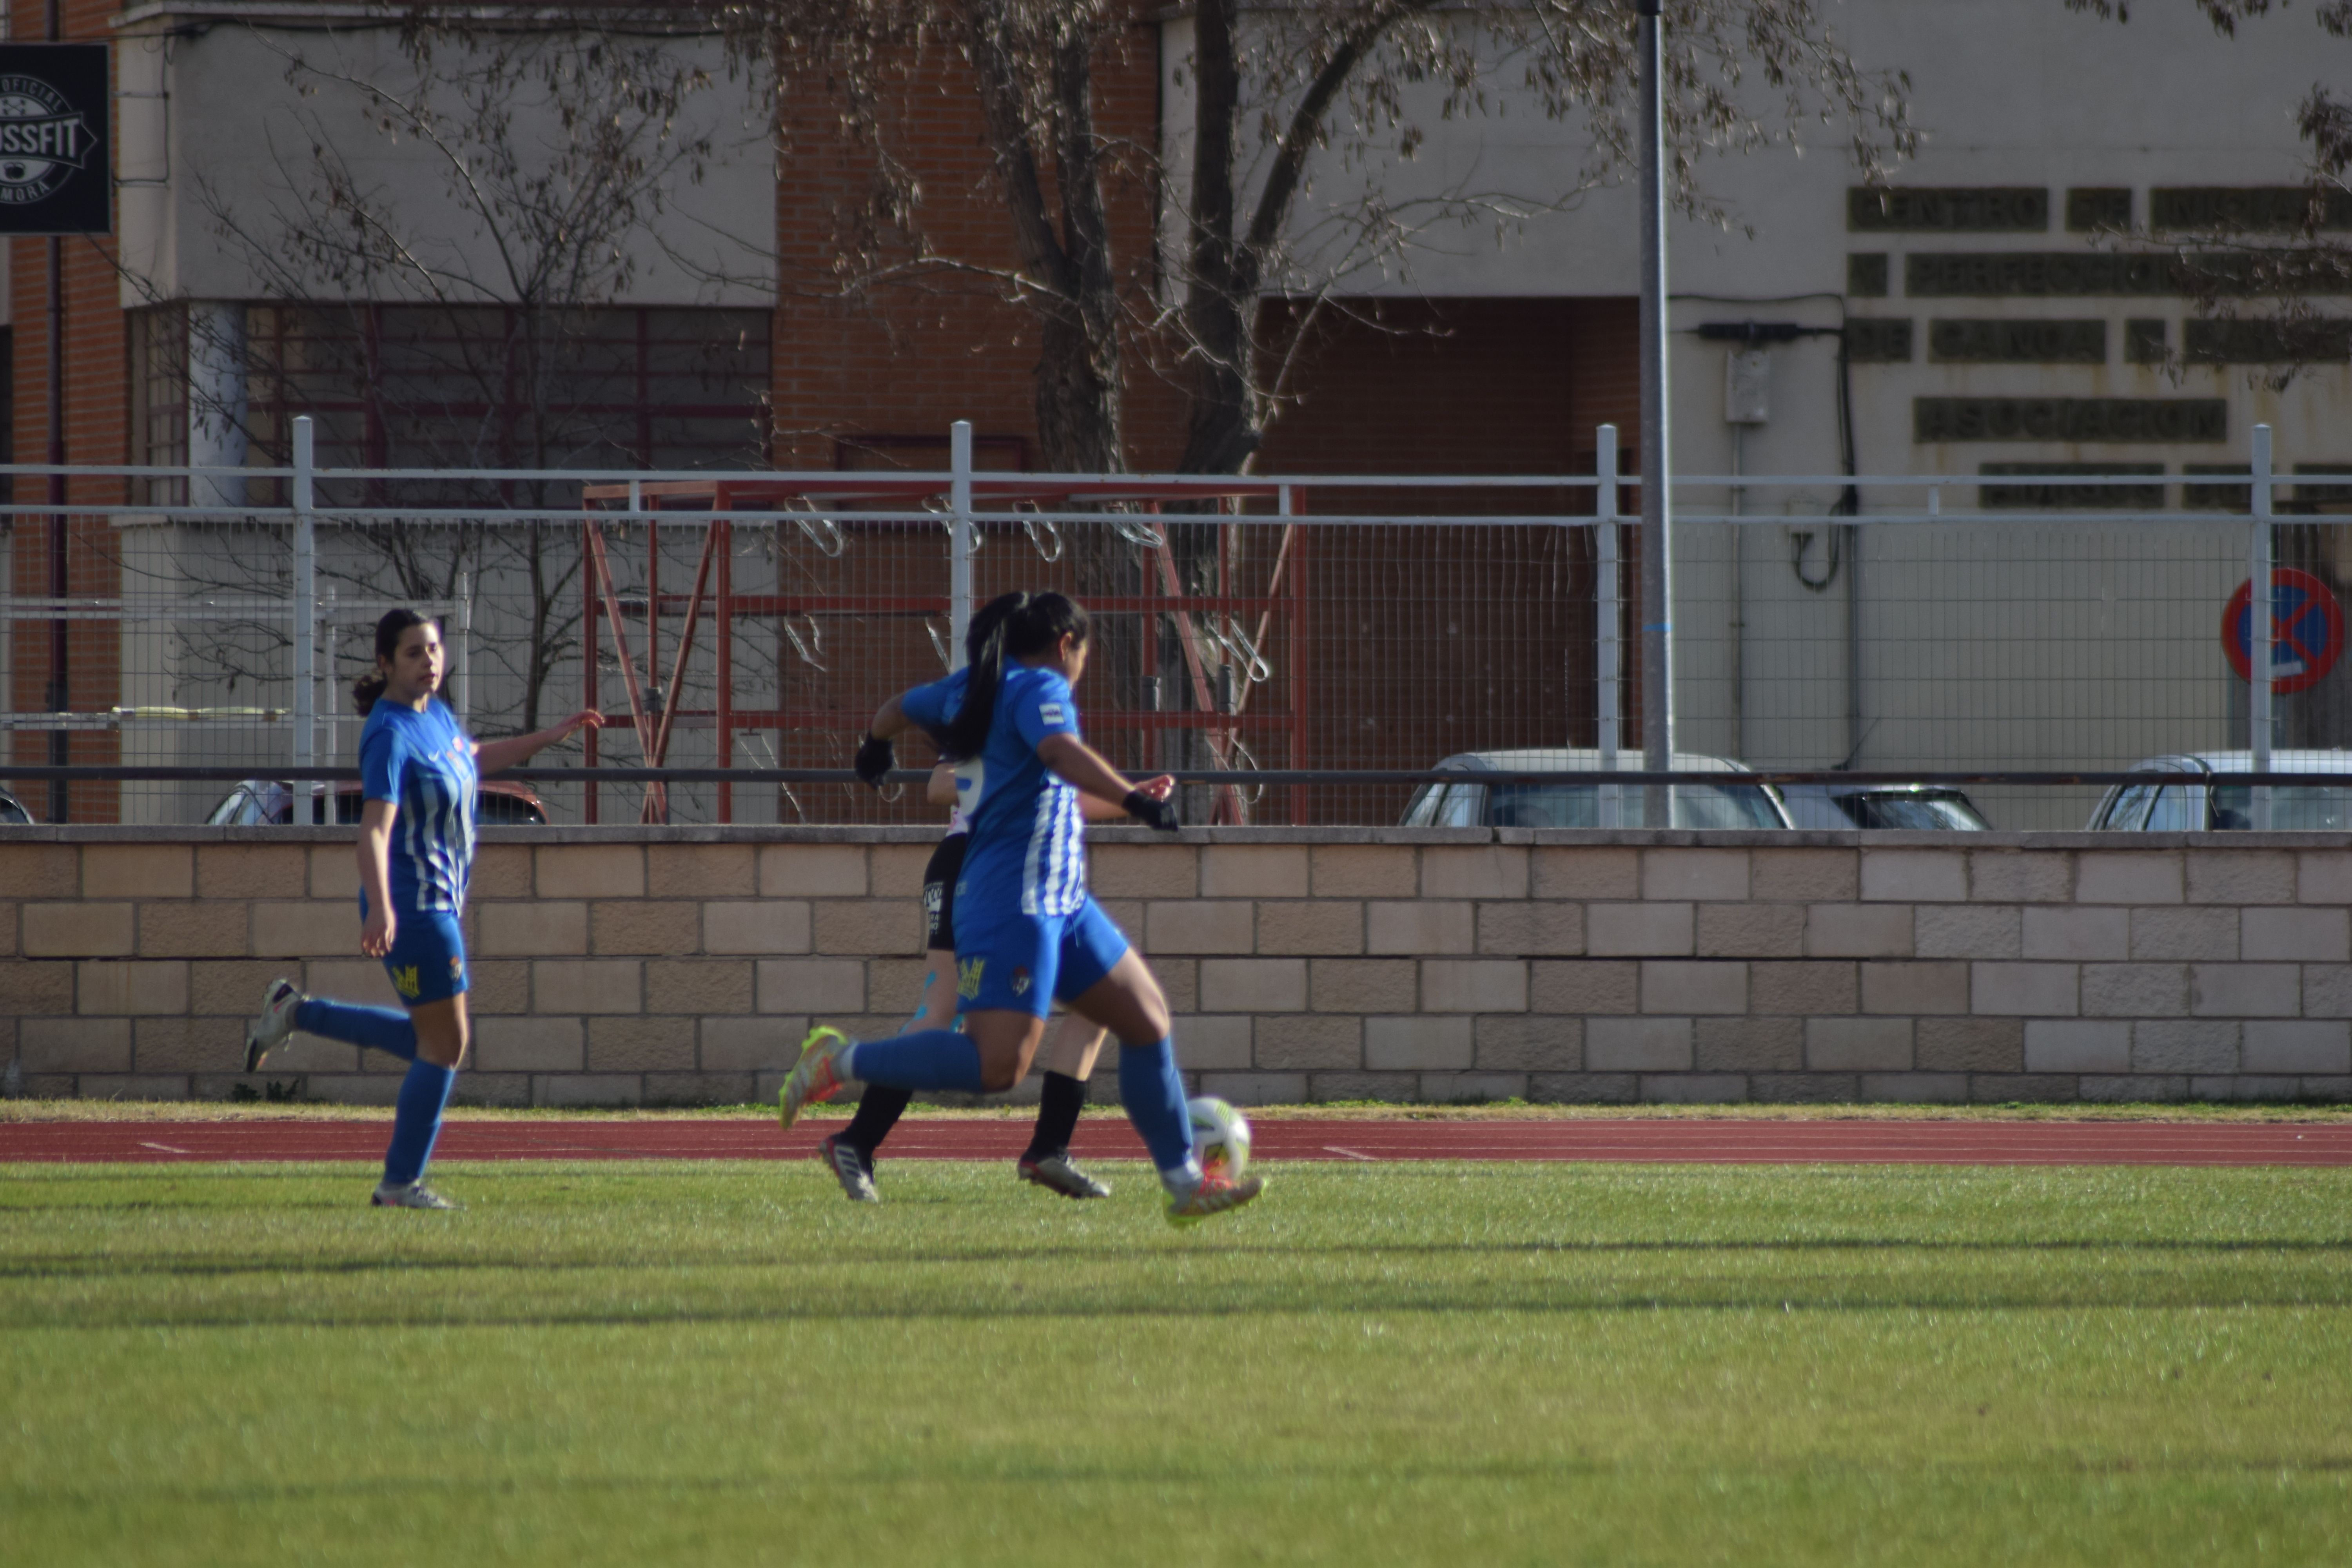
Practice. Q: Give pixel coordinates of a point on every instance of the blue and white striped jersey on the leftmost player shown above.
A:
(425, 765)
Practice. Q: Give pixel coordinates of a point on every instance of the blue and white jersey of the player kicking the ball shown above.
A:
(1029, 838)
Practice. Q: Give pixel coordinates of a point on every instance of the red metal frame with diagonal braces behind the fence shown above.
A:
(991, 492)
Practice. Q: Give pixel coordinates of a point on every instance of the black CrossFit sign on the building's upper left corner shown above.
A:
(58, 168)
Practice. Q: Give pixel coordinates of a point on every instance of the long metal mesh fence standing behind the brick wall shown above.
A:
(1993, 622)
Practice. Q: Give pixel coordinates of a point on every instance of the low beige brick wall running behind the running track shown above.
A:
(683, 965)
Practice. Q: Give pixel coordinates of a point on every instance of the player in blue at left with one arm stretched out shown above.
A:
(417, 779)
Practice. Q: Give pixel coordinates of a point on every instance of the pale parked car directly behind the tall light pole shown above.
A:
(1577, 805)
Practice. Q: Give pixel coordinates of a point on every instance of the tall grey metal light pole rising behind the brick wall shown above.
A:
(1657, 537)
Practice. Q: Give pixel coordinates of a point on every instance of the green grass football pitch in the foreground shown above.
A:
(1450, 1365)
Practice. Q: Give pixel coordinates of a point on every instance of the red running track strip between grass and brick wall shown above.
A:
(1906, 1144)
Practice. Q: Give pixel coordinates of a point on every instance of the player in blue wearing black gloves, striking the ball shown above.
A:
(1027, 930)
